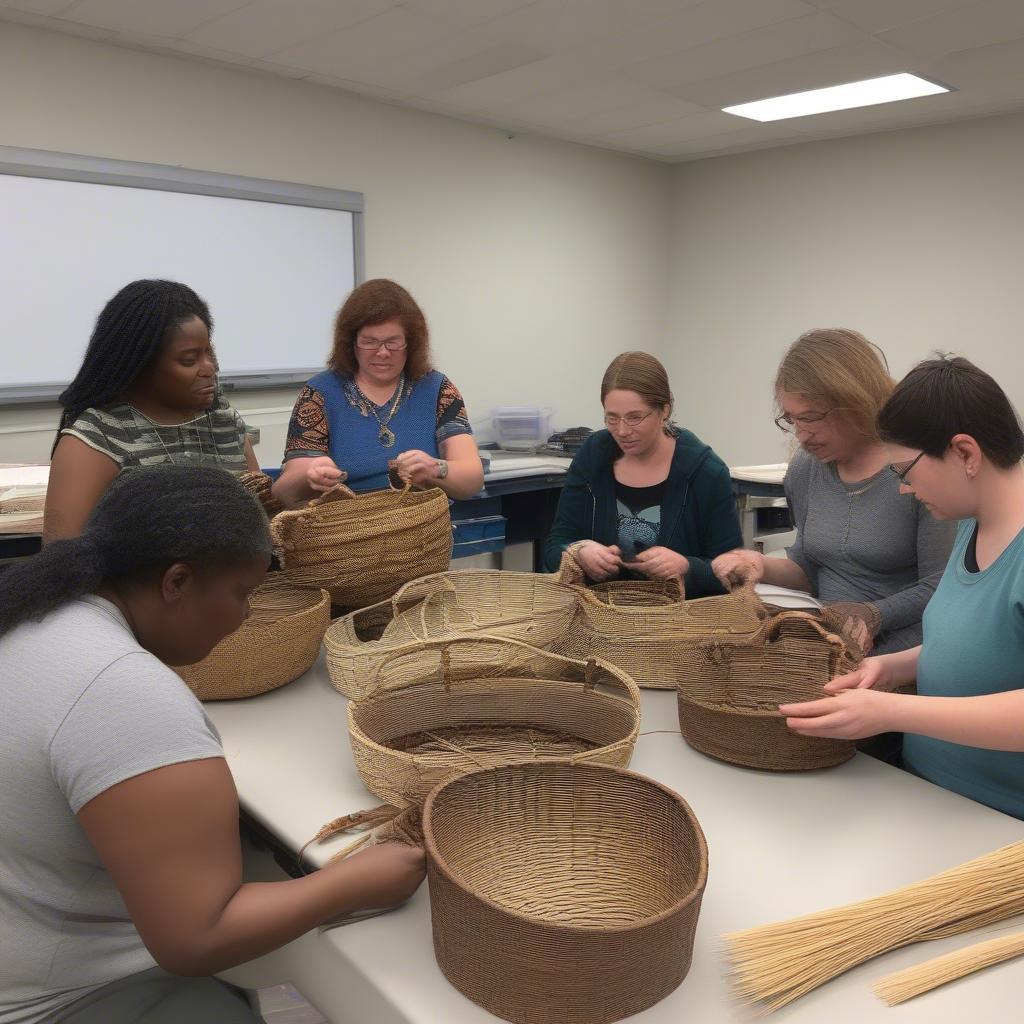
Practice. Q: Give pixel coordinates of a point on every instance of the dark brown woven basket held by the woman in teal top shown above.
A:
(732, 689)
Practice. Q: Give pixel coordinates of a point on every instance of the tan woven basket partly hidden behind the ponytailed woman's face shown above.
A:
(276, 645)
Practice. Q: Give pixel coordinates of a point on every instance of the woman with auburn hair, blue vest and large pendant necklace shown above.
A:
(379, 402)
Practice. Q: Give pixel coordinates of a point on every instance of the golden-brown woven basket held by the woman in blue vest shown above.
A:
(362, 548)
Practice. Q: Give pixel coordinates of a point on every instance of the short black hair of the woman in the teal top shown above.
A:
(950, 396)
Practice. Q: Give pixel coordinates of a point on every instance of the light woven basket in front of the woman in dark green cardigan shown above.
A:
(645, 626)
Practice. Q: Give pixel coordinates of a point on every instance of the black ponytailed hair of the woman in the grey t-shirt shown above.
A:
(148, 521)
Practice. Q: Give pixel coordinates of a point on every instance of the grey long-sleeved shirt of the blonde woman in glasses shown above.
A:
(867, 542)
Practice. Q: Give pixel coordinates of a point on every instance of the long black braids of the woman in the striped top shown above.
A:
(127, 336)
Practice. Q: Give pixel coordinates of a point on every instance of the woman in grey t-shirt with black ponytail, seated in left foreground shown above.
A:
(121, 888)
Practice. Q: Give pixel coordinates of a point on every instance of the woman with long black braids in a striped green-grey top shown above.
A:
(146, 394)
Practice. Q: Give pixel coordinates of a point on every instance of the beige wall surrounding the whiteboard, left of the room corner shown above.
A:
(536, 262)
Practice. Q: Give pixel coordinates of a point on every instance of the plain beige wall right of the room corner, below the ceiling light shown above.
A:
(914, 238)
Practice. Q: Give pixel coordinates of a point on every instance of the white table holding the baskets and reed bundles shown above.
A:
(780, 845)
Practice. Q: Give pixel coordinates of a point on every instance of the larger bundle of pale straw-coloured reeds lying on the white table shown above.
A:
(777, 964)
